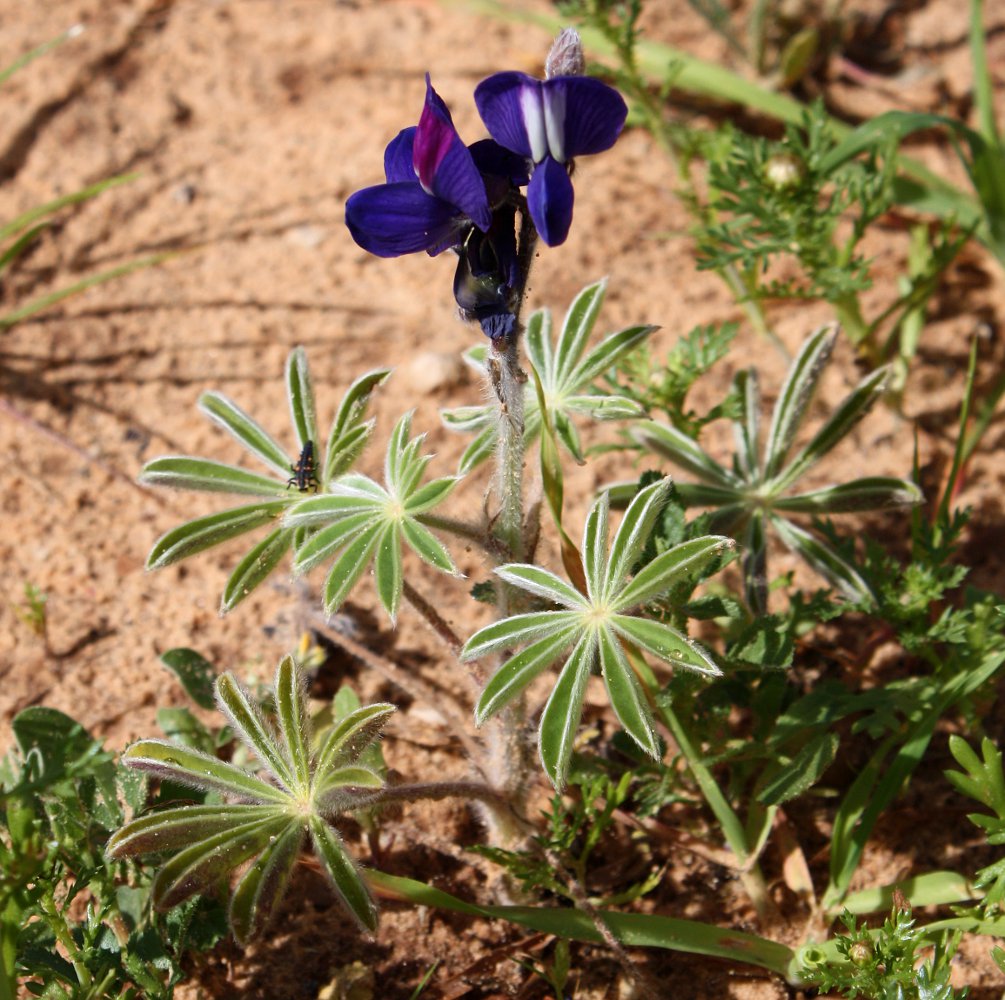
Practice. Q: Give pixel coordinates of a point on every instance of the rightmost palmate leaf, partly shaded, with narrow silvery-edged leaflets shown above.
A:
(758, 493)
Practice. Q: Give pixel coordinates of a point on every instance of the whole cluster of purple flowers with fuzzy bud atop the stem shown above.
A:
(441, 194)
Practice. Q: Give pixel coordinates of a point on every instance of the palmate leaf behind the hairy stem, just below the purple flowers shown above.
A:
(566, 372)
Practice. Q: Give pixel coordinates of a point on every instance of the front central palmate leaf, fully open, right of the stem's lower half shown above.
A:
(594, 627)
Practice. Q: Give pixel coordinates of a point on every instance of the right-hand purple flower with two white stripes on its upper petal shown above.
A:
(549, 123)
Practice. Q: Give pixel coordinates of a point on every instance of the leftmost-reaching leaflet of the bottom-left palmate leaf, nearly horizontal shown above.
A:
(173, 830)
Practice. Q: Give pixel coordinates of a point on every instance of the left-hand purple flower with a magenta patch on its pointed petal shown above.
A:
(434, 193)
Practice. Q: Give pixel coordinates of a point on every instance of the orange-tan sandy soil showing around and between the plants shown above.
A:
(249, 124)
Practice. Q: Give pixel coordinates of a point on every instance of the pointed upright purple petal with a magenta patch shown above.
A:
(445, 165)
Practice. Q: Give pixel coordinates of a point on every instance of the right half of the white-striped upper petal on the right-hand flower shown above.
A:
(587, 115)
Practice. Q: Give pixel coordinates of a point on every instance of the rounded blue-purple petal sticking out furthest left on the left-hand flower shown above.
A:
(391, 220)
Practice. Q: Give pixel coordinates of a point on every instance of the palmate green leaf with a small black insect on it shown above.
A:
(305, 470)
